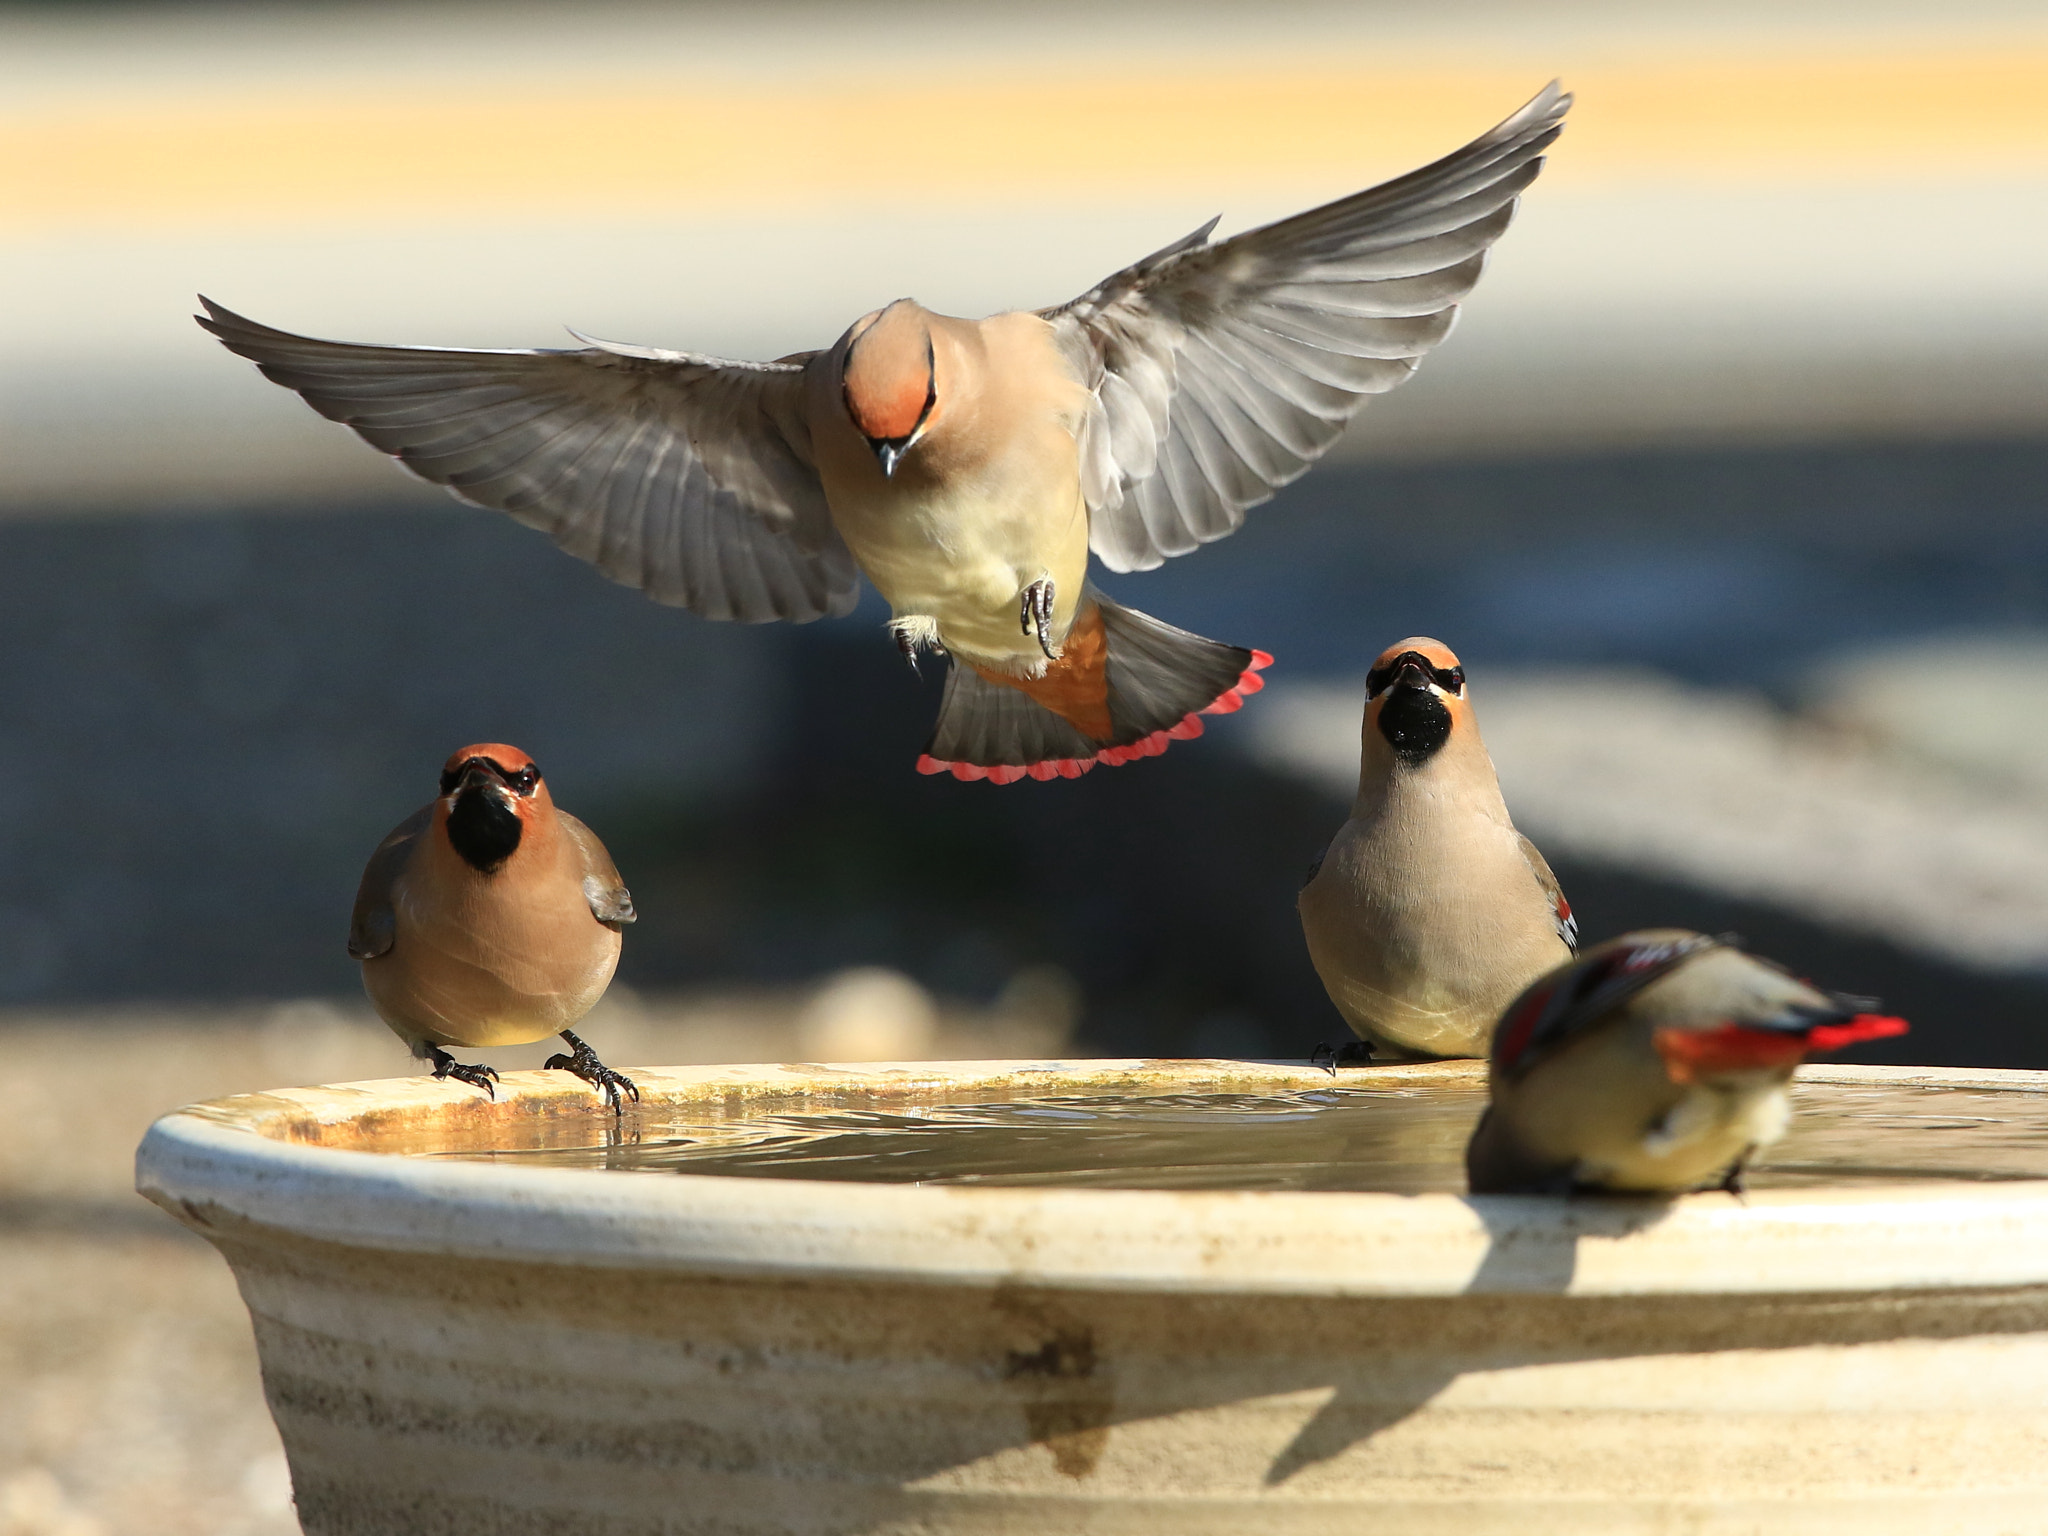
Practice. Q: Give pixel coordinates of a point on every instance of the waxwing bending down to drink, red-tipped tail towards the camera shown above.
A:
(1658, 1064)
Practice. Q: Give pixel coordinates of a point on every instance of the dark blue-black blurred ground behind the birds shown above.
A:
(212, 716)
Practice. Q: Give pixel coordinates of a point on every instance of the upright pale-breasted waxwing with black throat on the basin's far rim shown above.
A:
(1428, 912)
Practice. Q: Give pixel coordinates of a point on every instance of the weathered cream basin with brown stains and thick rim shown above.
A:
(486, 1349)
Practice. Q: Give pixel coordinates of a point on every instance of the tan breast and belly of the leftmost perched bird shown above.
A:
(493, 959)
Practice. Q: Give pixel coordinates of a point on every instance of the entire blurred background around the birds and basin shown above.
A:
(1730, 488)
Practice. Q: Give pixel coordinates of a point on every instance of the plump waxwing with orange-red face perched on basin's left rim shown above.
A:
(493, 919)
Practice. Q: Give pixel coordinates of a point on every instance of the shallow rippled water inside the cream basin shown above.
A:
(1383, 1140)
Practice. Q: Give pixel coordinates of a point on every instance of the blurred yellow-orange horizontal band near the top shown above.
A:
(660, 148)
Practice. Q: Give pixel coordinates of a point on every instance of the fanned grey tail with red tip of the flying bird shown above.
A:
(1123, 689)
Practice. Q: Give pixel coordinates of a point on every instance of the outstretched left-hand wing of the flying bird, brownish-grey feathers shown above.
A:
(685, 476)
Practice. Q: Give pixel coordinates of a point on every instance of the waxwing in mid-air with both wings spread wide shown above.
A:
(966, 466)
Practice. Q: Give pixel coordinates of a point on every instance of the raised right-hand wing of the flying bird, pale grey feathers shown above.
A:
(1224, 372)
